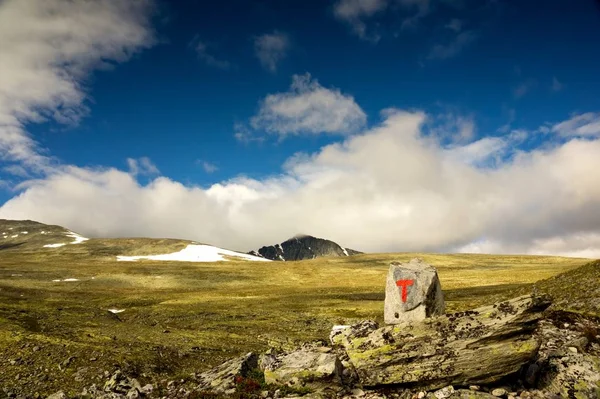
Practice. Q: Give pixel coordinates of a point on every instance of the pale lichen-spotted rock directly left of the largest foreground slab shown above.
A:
(305, 367)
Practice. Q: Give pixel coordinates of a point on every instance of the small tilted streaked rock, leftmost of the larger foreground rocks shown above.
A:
(221, 379)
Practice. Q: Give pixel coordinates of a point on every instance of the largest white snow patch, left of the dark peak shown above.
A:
(195, 253)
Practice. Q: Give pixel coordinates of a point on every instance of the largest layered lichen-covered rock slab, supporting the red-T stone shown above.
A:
(473, 347)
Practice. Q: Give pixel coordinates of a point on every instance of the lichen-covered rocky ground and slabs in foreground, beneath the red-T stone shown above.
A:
(512, 349)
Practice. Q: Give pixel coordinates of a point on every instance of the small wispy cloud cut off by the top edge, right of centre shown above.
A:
(354, 12)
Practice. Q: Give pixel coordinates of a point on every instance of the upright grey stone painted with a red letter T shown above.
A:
(412, 293)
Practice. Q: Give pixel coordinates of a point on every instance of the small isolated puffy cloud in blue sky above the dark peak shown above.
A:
(309, 108)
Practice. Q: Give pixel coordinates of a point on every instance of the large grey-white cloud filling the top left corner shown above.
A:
(48, 47)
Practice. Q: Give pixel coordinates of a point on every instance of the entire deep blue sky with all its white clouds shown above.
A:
(384, 125)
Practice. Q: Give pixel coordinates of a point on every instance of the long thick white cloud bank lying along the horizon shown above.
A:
(388, 189)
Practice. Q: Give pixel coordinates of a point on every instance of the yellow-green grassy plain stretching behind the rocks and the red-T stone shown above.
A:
(184, 317)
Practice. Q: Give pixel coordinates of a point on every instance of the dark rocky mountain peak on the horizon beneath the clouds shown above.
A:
(303, 247)
